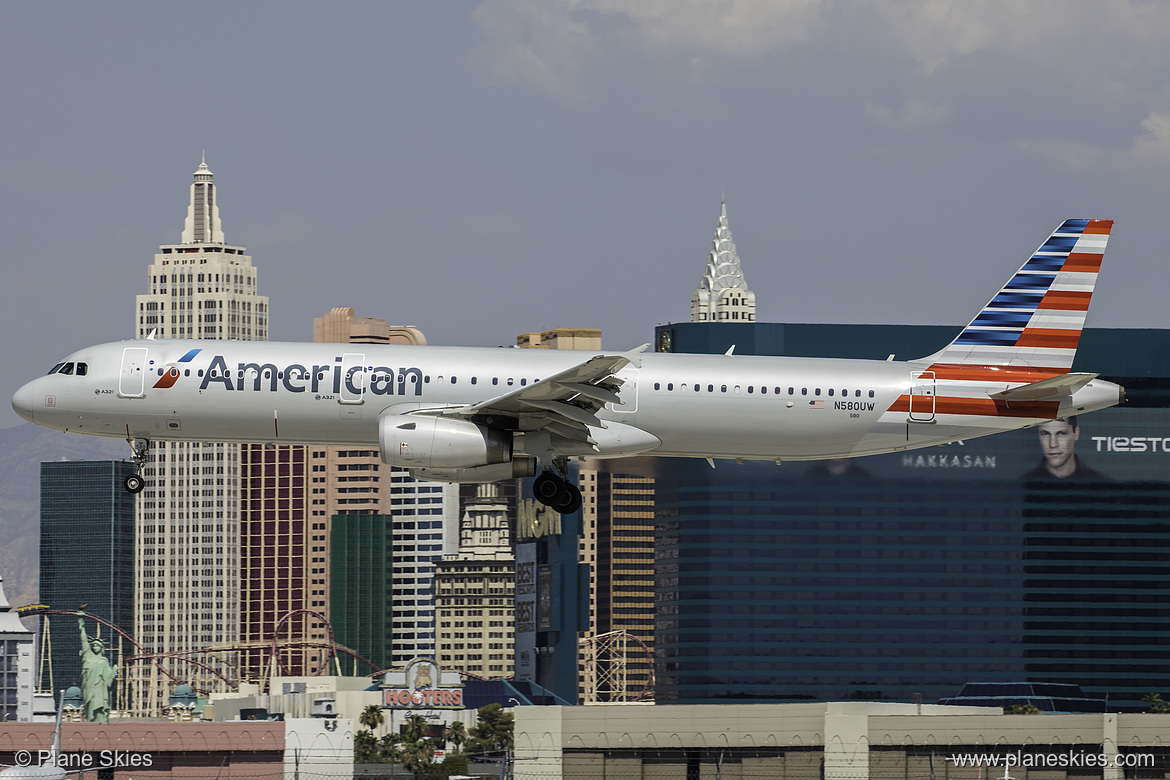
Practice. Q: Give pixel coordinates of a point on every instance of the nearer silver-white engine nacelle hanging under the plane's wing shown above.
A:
(417, 441)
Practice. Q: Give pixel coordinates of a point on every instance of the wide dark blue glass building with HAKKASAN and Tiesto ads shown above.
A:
(909, 575)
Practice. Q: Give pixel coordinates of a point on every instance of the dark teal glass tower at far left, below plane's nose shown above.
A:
(87, 558)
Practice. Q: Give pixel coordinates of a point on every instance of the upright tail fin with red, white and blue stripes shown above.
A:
(1036, 320)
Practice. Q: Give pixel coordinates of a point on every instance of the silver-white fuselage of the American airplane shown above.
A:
(672, 405)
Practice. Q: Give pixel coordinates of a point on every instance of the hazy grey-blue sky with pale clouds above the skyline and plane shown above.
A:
(480, 170)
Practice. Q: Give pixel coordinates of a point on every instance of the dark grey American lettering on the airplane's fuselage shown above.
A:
(297, 378)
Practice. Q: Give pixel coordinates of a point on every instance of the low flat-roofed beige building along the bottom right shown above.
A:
(834, 741)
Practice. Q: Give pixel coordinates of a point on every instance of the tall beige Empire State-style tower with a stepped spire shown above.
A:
(188, 519)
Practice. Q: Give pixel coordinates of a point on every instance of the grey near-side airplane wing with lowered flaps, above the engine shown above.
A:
(566, 404)
